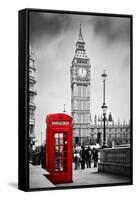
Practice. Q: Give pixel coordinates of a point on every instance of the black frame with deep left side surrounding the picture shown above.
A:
(23, 132)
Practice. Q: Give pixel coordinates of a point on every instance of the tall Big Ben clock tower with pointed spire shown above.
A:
(80, 93)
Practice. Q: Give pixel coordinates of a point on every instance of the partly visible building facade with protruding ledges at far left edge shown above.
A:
(32, 106)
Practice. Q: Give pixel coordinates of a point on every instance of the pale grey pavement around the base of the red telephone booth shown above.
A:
(88, 176)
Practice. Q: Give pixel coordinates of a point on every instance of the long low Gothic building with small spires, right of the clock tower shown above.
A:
(117, 133)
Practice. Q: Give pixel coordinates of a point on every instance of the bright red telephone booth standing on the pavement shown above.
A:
(59, 147)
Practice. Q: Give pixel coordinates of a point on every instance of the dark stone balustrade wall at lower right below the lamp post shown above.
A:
(115, 160)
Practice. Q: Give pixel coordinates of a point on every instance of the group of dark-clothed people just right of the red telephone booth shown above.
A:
(84, 157)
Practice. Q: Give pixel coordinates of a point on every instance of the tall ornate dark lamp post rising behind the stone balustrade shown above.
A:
(104, 108)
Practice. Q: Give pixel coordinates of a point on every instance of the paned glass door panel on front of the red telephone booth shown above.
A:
(61, 152)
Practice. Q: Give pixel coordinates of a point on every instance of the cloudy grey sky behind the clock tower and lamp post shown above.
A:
(53, 38)
